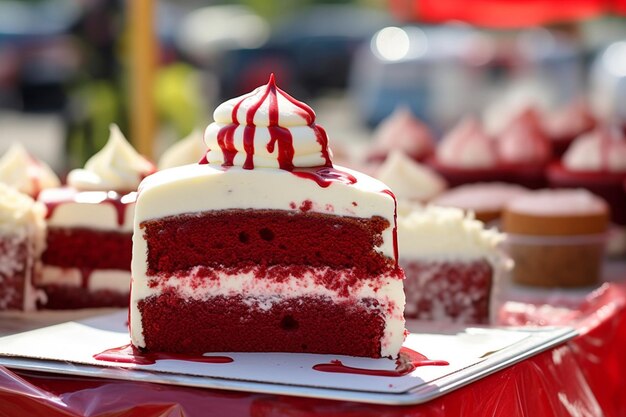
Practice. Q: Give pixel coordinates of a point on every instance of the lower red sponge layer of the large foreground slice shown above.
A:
(221, 324)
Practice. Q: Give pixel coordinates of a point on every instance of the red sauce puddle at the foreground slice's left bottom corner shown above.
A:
(130, 354)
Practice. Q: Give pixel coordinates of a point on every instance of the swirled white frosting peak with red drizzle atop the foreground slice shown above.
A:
(266, 128)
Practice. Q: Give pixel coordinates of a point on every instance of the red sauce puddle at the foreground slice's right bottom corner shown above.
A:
(408, 361)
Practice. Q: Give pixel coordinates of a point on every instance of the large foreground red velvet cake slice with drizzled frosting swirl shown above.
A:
(265, 246)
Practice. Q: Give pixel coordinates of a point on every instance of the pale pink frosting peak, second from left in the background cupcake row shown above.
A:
(467, 146)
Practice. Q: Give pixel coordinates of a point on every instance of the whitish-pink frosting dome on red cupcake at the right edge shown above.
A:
(600, 150)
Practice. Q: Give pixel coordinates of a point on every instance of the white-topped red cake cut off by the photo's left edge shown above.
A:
(22, 230)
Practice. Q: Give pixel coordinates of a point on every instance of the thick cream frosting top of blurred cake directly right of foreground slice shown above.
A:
(444, 233)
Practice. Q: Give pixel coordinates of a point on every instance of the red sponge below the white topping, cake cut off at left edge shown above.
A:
(14, 264)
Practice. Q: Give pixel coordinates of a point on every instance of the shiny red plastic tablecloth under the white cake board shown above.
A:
(584, 377)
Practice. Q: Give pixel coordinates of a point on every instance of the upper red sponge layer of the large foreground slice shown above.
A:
(230, 238)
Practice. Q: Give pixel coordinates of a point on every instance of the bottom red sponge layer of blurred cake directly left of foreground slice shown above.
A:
(61, 297)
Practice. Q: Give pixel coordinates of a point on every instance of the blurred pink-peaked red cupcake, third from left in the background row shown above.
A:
(524, 150)
